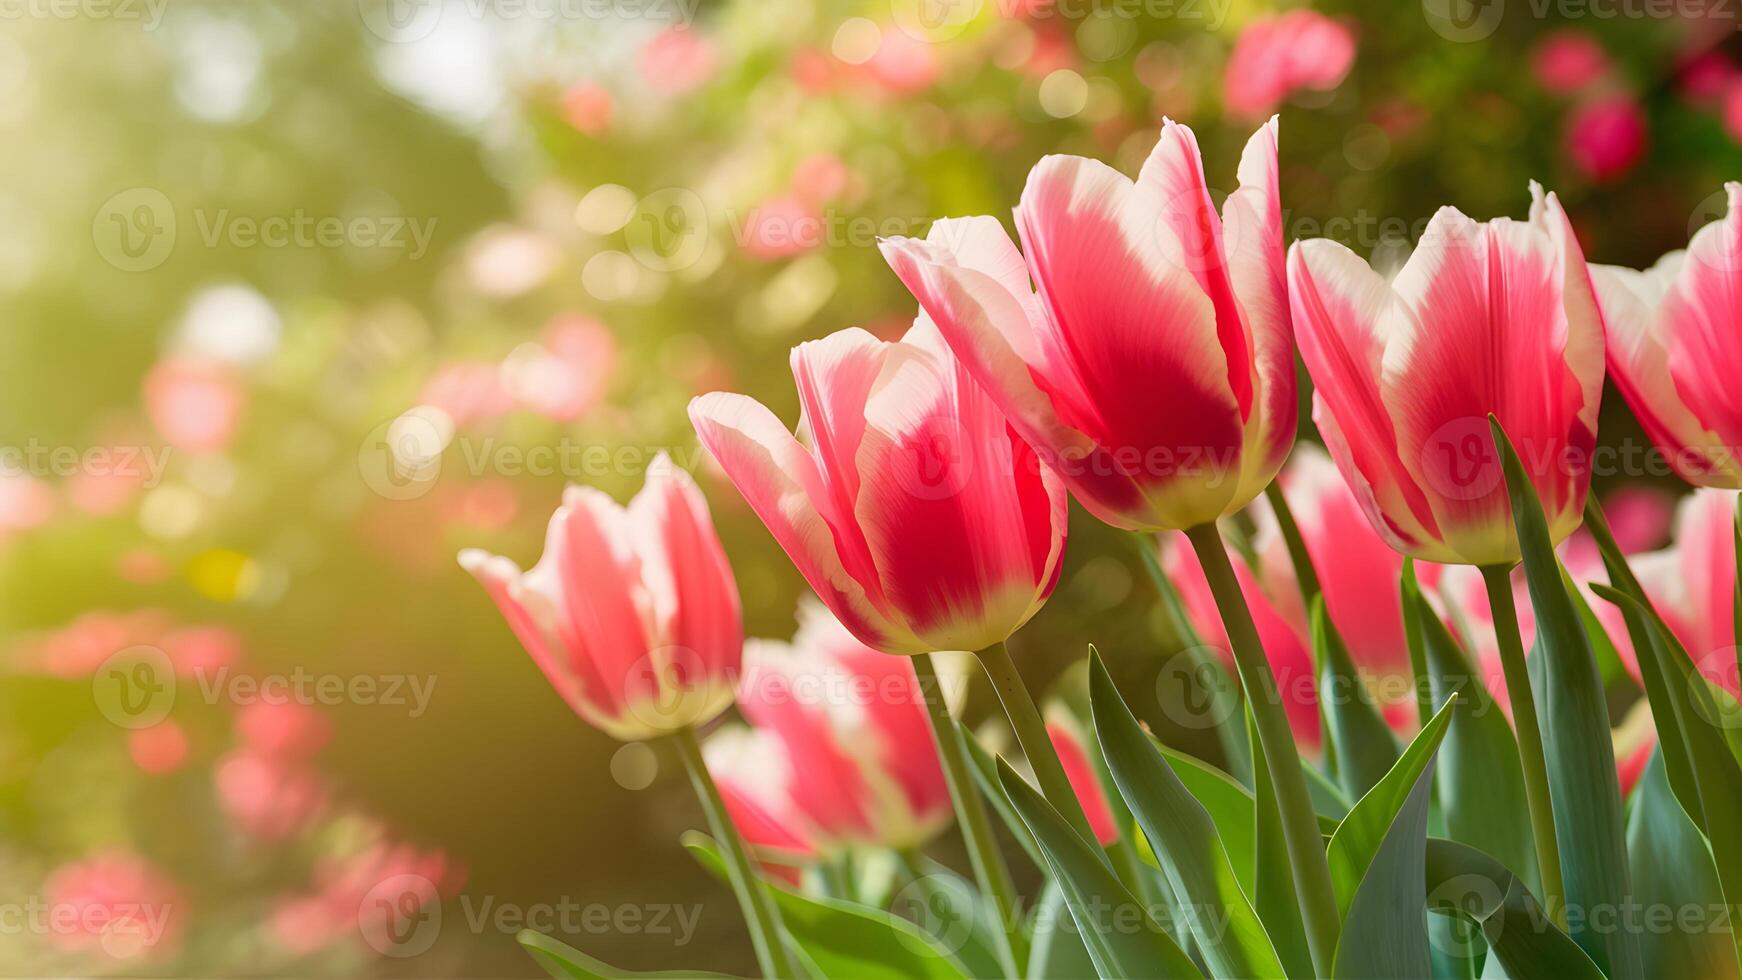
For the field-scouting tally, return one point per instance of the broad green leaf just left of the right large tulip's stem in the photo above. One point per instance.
(1480, 781)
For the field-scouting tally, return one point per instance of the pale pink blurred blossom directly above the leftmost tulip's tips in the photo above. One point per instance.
(564, 375)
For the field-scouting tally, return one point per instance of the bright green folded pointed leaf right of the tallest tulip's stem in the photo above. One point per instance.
(1379, 866)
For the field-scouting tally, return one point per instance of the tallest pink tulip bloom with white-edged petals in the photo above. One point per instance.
(1154, 368)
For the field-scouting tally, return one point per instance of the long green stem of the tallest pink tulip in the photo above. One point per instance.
(1276, 741)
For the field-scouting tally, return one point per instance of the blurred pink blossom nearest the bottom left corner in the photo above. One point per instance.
(114, 904)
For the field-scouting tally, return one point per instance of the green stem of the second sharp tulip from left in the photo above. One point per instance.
(990, 871)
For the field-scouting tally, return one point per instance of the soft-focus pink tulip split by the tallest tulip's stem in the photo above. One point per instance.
(1286, 643)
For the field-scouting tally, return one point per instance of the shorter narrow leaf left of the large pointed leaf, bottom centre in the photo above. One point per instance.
(1123, 937)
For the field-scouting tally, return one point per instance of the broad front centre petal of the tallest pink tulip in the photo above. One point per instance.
(1133, 328)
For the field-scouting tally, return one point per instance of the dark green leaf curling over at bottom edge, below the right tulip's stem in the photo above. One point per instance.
(1478, 889)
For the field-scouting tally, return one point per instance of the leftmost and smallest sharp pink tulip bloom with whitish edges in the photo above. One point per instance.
(631, 614)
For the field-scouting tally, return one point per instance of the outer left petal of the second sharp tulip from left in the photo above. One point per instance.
(781, 483)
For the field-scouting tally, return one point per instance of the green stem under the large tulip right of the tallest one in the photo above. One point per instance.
(1506, 615)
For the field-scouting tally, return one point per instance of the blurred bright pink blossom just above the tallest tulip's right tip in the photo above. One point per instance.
(1279, 57)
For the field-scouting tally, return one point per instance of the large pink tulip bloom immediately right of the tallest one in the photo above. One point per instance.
(1485, 319)
